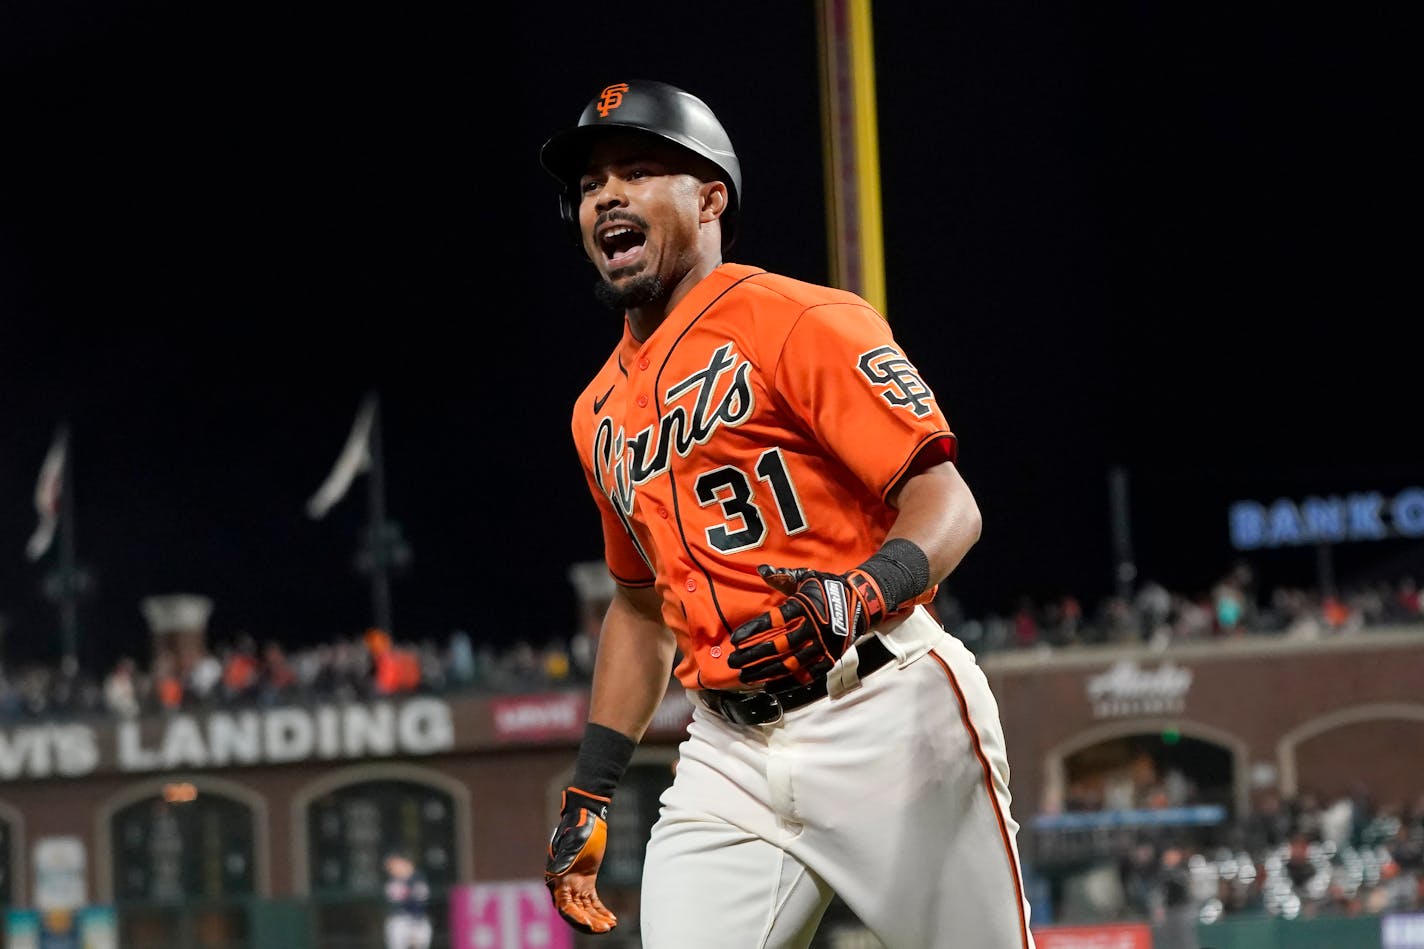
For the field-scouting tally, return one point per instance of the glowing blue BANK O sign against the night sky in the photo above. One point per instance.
(1326, 521)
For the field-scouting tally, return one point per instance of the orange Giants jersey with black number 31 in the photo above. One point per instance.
(741, 432)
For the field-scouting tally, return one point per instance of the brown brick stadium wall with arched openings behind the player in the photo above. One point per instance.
(1319, 715)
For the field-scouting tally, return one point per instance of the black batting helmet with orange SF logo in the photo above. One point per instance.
(647, 106)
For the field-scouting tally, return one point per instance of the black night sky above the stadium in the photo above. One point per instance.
(1164, 237)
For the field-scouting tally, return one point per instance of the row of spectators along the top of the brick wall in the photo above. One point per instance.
(247, 672)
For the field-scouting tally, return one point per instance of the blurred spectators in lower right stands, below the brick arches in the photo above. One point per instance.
(1298, 857)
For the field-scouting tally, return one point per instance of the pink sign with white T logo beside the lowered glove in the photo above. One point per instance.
(506, 916)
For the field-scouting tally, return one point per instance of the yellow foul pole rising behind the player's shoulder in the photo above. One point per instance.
(852, 149)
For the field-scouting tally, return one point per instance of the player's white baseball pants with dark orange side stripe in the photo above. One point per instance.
(891, 793)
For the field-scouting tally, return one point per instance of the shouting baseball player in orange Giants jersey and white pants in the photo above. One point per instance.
(780, 499)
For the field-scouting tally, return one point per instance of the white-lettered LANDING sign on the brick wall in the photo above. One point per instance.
(229, 739)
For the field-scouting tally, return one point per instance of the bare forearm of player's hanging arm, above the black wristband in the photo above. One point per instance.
(633, 668)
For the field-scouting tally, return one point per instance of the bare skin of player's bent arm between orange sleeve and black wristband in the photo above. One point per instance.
(938, 514)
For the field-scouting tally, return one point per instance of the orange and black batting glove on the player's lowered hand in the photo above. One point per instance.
(576, 853)
